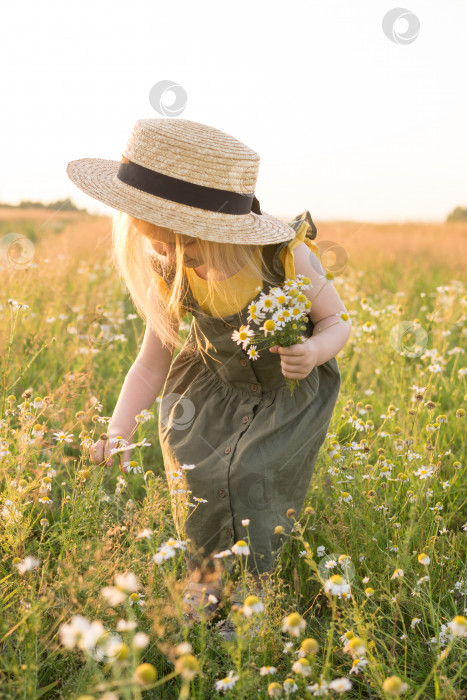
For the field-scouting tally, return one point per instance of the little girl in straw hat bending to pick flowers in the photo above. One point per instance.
(239, 449)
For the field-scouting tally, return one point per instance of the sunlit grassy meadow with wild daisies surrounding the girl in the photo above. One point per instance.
(369, 593)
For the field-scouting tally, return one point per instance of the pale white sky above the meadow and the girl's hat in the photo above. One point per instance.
(348, 123)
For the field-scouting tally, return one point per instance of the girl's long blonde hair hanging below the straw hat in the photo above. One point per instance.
(161, 305)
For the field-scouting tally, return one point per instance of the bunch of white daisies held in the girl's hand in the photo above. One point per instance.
(282, 314)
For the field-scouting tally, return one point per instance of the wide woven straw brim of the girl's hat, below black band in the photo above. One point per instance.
(97, 177)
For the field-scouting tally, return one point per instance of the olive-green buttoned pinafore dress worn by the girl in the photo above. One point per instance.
(253, 445)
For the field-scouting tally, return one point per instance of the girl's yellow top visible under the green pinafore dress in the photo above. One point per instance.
(246, 288)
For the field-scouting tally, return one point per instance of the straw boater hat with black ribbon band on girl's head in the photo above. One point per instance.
(185, 176)
